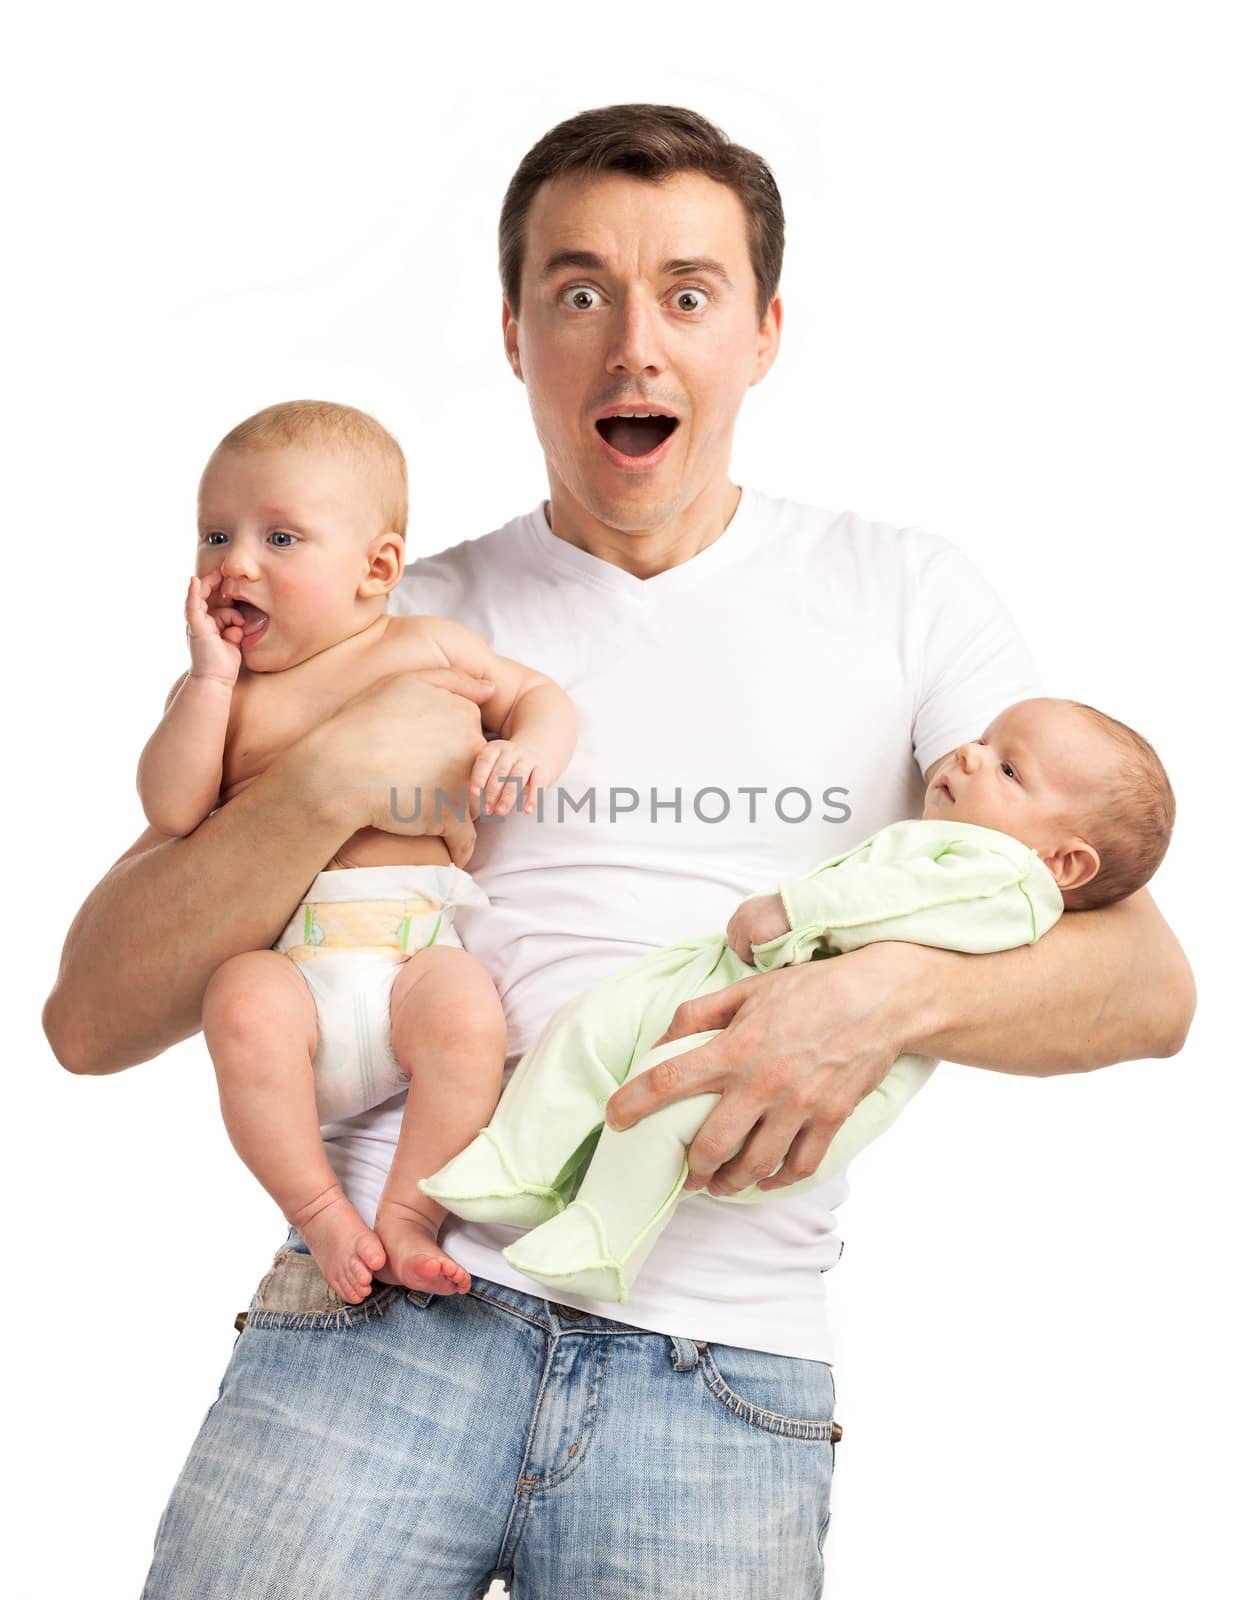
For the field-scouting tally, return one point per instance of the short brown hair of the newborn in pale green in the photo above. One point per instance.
(1133, 826)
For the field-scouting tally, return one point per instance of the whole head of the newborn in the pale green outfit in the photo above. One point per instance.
(1087, 793)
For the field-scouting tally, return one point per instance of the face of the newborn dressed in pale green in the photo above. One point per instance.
(1035, 774)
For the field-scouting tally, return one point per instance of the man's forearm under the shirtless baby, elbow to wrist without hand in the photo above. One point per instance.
(145, 945)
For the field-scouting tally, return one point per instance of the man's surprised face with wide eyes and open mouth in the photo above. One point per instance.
(637, 297)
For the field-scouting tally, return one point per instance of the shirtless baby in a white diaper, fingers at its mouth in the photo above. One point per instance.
(301, 527)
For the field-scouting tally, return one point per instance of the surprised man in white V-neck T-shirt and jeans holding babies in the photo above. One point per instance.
(760, 687)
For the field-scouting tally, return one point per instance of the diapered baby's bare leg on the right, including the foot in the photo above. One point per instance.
(449, 1034)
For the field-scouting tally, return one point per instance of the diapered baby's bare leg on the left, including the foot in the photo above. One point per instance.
(261, 1031)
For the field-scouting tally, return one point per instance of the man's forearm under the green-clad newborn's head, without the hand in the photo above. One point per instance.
(1103, 986)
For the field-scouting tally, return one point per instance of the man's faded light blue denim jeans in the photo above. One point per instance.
(425, 1446)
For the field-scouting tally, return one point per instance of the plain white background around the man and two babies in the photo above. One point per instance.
(1007, 319)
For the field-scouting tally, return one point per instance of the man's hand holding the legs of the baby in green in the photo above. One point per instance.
(800, 1050)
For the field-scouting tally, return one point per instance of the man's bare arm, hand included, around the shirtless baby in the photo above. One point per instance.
(170, 911)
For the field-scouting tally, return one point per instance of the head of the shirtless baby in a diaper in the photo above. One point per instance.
(303, 508)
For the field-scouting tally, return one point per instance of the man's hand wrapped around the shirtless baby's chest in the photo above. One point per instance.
(399, 758)
